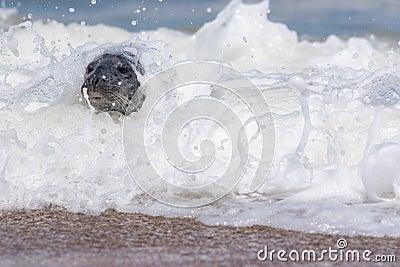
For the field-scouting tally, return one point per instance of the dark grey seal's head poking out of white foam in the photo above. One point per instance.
(111, 84)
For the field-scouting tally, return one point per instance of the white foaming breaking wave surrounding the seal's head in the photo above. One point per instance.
(333, 106)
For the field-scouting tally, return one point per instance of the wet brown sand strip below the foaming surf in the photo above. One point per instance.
(54, 237)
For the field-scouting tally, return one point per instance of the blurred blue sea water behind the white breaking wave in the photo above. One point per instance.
(318, 18)
